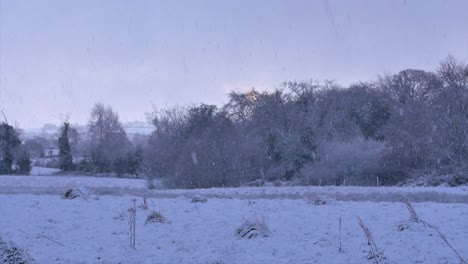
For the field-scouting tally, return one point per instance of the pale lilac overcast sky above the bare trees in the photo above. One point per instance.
(60, 57)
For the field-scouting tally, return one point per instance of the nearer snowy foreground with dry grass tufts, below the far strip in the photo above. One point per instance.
(54, 230)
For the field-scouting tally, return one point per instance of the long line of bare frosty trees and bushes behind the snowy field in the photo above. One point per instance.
(399, 126)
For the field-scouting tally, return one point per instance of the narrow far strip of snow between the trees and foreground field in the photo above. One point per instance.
(56, 185)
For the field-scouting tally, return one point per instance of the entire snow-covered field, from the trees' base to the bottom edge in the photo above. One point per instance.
(51, 229)
